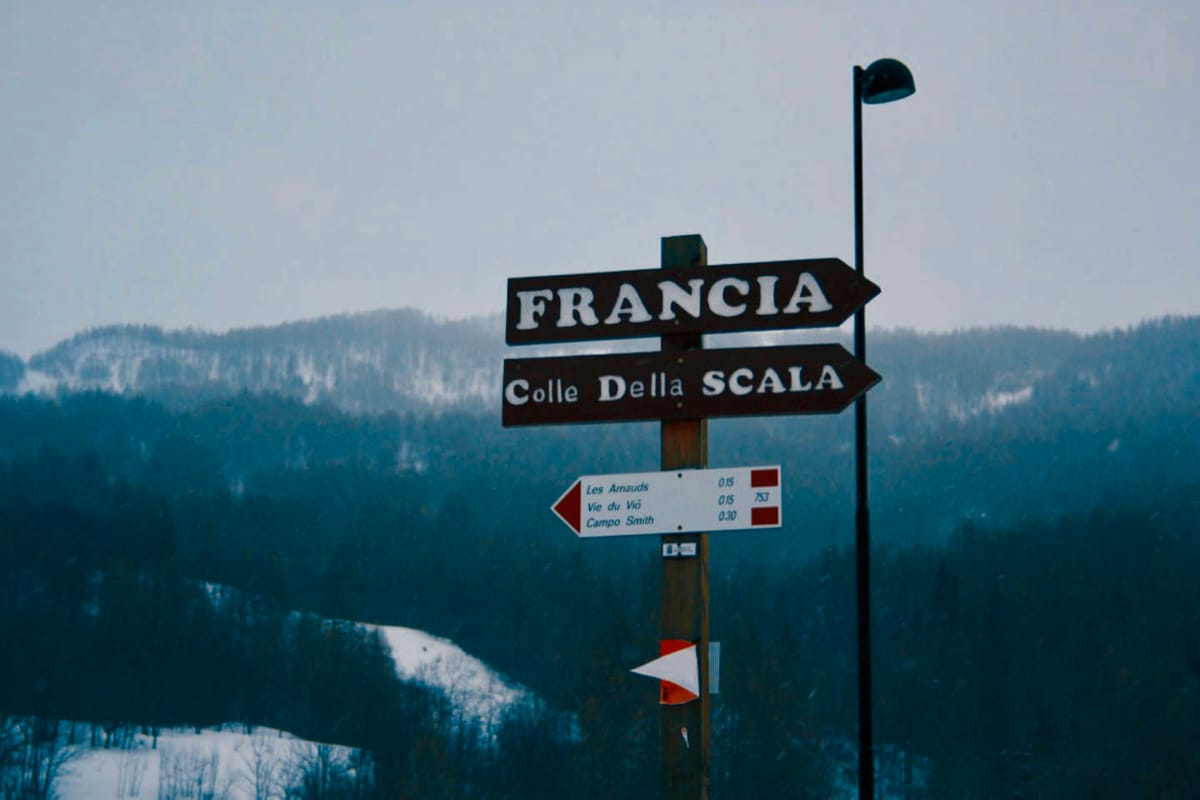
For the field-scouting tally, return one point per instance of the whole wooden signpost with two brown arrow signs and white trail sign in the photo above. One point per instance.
(683, 386)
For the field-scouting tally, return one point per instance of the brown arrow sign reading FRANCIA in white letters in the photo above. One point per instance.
(769, 296)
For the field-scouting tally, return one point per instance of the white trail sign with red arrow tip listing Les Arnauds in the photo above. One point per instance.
(674, 502)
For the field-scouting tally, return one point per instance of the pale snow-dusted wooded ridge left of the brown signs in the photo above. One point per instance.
(388, 360)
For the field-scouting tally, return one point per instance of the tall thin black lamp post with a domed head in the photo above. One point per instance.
(883, 82)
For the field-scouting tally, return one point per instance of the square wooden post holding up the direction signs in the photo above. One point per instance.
(685, 736)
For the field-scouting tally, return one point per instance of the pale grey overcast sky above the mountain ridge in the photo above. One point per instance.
(217, 165)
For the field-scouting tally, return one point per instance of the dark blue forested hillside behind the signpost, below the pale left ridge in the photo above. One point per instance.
(1036, 612)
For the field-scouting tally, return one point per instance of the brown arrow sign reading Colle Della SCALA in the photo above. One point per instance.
(683, 386)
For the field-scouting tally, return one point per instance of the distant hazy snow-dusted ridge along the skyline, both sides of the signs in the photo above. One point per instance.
(405, 360)
